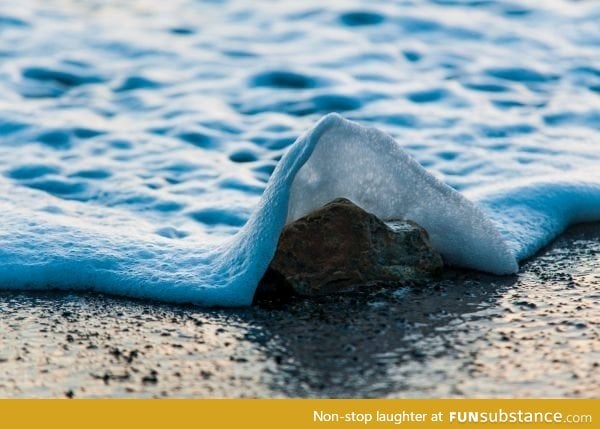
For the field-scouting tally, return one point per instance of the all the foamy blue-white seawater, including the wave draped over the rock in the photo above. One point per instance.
(156, 149)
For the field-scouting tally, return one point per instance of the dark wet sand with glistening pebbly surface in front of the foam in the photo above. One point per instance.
(468, 335)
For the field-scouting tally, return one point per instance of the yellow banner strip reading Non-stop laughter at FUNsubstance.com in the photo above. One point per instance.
(299, 413)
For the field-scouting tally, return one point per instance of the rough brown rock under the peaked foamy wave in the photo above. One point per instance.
(341, 247)
